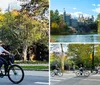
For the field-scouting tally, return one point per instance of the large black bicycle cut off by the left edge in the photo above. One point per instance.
(14, 72)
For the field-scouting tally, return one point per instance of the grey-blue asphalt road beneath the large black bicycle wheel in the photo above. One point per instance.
(31, 78)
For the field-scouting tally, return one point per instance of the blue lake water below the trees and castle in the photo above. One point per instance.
(76, 38)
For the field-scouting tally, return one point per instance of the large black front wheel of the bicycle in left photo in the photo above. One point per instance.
(15, 74)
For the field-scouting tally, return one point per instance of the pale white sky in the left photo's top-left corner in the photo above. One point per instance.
(13, 4)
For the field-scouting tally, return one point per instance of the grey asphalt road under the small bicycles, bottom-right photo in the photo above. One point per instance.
(71, 79)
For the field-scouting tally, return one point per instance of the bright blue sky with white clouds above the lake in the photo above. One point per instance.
(76, 7)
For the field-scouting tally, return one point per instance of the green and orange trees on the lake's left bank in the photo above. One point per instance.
(57, 19)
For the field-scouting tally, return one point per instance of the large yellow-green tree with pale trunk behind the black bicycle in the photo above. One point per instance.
(24, 29)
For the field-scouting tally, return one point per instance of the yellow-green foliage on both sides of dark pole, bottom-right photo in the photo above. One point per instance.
(82, 54)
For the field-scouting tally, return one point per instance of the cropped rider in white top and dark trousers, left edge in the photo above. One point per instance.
(2, 53)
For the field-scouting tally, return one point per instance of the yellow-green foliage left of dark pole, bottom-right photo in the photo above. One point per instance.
(81, 53)
